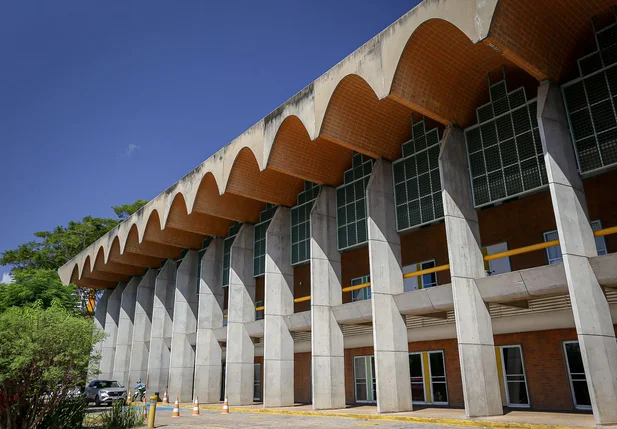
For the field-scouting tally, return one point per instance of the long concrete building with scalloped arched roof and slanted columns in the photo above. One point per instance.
(432, 221)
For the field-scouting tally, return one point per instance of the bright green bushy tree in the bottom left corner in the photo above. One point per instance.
(44, 354)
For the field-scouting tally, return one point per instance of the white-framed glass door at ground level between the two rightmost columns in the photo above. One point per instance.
(513, 370)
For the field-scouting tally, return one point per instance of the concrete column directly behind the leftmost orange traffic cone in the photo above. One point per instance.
(183, 340)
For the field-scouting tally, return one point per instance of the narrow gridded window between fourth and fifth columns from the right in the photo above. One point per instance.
(301, 224)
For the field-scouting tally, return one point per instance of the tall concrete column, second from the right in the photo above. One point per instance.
(474, 329)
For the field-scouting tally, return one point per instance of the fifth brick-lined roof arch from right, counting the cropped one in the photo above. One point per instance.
(268, 186)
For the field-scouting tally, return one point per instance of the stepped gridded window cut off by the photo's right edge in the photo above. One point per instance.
(591, 103)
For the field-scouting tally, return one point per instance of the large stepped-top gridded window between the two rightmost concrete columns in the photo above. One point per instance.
(504, 149)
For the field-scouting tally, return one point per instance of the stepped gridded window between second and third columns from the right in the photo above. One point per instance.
(417, 185)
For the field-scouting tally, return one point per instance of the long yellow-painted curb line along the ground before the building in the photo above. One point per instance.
(390, 417)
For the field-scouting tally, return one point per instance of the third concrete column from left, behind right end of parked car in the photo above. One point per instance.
(124, 339)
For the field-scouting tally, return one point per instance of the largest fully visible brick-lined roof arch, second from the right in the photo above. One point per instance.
(443, 75)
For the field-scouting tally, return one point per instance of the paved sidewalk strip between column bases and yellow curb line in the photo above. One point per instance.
(432, 415)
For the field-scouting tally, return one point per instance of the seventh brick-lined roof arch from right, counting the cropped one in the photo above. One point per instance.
(198, 223)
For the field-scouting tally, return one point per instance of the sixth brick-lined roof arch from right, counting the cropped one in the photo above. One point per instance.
(227, 206)
